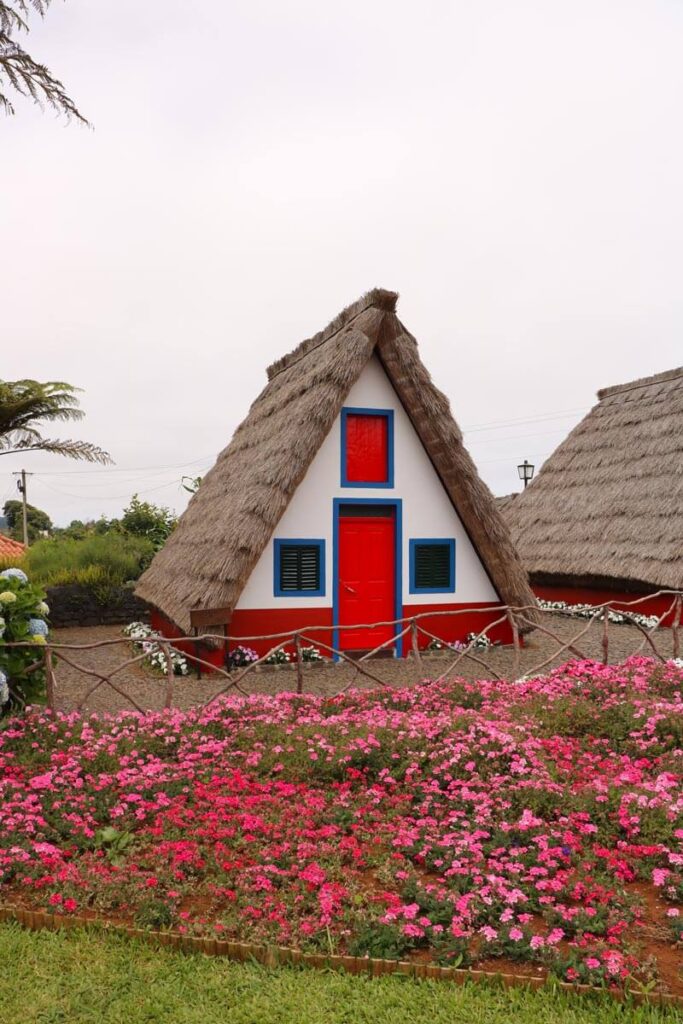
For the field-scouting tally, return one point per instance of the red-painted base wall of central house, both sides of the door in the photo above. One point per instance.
(262, 622)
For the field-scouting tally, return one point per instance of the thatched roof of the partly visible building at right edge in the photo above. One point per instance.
(608, 506)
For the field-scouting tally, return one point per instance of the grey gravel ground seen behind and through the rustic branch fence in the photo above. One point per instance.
(148, 689)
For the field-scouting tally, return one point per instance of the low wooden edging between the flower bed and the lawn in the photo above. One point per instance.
(273, 957)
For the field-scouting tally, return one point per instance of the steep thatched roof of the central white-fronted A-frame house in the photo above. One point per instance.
(209, 558)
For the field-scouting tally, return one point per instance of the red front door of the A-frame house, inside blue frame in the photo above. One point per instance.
(367, 578)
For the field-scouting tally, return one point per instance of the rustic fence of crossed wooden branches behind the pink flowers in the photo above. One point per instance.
(519, 619)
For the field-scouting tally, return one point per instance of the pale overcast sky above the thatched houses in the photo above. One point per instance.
(514, 169)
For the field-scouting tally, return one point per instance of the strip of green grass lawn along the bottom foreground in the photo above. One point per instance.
(78, 977)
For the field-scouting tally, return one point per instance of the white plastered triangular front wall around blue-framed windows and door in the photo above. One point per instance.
(428, 511)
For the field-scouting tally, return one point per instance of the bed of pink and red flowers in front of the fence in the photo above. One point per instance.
(538, 822)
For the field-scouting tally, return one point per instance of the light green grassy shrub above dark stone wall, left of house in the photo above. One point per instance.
(97, 561)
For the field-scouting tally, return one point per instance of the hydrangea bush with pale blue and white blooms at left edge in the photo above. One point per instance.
(23, 620)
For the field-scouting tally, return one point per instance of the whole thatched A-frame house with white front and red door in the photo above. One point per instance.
(347, 496)
